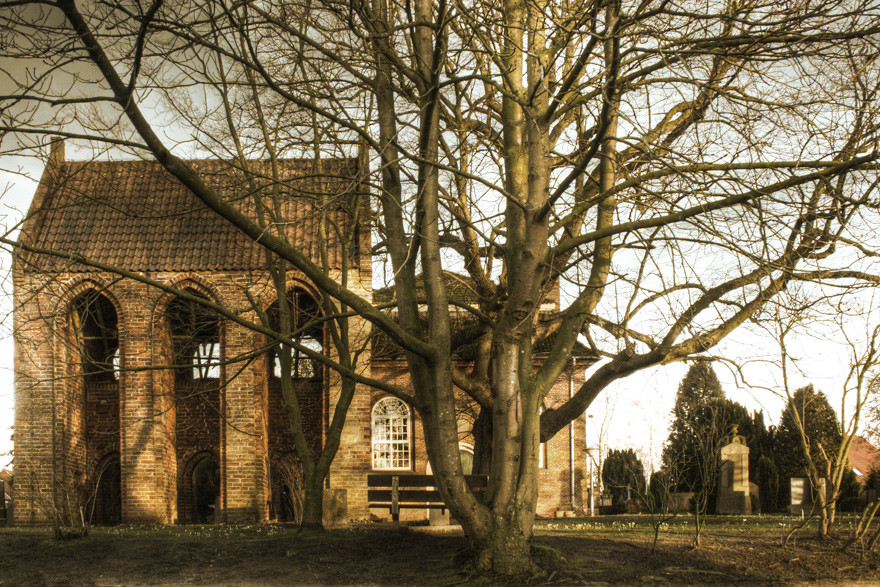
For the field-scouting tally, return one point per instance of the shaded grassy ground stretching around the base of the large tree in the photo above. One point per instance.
(596, 551)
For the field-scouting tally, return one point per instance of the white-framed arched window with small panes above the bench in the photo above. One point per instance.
(391, 424)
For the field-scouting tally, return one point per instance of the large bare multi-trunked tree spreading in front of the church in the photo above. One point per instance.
(670, 166)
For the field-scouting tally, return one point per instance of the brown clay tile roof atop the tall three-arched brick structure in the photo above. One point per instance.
(135, 215)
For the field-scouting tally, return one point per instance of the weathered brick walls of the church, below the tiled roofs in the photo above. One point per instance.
(158, 433)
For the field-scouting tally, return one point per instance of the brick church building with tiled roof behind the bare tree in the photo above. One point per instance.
(149, 408)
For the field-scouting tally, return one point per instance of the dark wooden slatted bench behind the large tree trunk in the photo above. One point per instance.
(409, 490)
